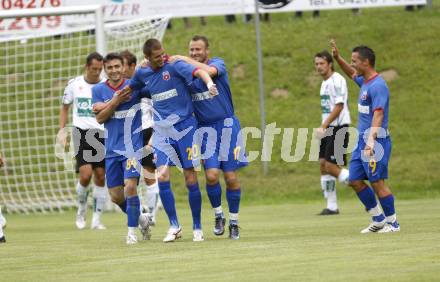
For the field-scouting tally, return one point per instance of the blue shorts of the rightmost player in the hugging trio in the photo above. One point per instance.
(222, 145)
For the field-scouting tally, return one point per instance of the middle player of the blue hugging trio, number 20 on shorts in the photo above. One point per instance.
(174, 127)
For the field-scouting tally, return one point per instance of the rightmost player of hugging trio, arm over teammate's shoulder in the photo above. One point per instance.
(223, 148)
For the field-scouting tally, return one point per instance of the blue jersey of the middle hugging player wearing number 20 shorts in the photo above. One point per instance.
(168, 88)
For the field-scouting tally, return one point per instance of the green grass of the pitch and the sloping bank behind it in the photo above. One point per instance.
(282, 238)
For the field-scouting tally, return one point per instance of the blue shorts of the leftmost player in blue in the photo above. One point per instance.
(119, 168)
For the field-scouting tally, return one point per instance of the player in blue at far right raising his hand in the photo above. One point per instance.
(369, 160)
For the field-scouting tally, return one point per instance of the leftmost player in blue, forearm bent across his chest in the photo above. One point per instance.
(121, 116)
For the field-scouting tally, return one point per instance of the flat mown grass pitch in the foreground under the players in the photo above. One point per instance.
(279, 243)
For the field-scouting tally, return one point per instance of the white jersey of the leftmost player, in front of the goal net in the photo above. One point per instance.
(79, 93)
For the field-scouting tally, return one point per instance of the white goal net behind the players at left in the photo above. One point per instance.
(38, 175)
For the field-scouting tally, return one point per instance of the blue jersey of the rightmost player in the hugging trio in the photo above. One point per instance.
(210, 109)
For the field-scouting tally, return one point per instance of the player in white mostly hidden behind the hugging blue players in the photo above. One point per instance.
(152, 191)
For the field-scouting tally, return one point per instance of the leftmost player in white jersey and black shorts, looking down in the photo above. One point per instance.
(88, 139)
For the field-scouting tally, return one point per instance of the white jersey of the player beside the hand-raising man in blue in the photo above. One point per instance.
(334, 91)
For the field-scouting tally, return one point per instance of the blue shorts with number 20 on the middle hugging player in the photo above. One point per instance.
(176, 146)
